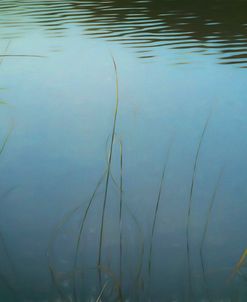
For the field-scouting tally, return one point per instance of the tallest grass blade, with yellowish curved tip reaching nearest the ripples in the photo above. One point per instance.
(108, 171)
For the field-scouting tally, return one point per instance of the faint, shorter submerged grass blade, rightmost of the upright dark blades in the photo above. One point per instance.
(204, 235)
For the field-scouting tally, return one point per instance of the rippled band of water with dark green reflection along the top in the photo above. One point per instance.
(210, 28)
